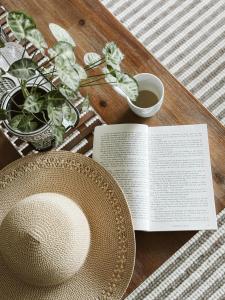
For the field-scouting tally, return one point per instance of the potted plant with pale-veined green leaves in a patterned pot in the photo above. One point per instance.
(38, 111)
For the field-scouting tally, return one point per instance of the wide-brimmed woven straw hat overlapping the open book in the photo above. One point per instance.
(65, 230)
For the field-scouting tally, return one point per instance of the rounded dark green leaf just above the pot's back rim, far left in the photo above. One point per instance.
(23, 68)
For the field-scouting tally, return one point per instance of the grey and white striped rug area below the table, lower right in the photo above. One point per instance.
(195, 272)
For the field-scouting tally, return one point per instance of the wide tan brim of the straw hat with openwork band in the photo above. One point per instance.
(110, 262)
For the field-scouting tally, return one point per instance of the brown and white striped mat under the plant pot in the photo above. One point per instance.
(79, 139)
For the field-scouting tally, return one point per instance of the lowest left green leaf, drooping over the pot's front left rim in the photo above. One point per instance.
(24, 123)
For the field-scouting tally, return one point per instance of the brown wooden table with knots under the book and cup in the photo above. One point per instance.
(92, 26)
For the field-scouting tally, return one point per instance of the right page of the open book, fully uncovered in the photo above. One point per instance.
(181, 190)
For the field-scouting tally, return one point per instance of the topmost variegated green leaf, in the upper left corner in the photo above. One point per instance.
(20, 23)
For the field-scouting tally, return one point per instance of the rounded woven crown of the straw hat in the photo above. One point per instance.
(45, 239)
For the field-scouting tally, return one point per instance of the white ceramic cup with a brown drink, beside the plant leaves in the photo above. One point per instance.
(151, 83)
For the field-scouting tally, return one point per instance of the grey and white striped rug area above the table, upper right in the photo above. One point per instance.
(187, 37)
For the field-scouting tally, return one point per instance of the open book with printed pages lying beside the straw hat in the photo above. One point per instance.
(164, 172)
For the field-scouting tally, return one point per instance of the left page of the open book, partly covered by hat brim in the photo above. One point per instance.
(123, 151)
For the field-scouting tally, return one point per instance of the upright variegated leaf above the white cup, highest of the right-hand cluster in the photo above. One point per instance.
(113, 55)
